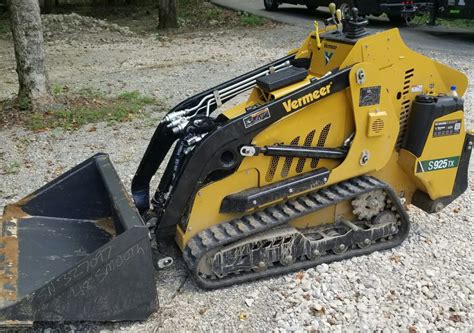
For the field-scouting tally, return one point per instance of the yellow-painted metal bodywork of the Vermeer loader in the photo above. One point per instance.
(386, 62)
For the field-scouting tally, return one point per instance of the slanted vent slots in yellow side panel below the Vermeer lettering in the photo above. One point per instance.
(288, 161)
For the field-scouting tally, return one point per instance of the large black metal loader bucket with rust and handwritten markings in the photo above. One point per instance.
(76, 250)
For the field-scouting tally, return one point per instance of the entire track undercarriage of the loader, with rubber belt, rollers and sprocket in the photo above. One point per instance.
(263, 243)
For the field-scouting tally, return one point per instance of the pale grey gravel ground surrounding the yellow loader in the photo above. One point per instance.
(425, 284)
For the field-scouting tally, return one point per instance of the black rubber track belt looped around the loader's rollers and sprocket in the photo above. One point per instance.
(260, 221)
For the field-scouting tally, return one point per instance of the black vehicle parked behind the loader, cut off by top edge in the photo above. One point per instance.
(397, 11)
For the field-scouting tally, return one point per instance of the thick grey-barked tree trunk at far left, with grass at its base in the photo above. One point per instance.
(28, 42)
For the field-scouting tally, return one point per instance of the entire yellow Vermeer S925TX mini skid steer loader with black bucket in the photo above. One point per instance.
(317, 165)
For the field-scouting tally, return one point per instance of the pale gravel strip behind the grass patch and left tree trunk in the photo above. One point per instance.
(162, 65)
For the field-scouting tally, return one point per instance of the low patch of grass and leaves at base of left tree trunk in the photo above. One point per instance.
(123, 108)
